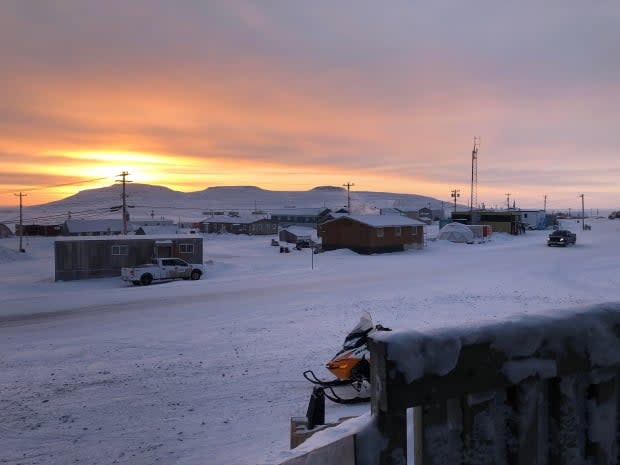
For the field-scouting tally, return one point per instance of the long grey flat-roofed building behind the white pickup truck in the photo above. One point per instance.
(92, 257)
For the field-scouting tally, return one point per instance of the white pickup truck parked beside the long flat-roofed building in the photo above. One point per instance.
(161, 269)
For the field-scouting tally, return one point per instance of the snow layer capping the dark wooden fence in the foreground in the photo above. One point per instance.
(589, 331)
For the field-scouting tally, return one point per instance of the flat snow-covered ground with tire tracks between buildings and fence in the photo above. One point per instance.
(210, 372)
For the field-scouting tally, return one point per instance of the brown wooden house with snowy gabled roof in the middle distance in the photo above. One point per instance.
(372, 233)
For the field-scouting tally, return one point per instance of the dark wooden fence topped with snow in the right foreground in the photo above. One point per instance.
(540, 389)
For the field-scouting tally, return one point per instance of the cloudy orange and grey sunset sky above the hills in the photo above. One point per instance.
(290, 95)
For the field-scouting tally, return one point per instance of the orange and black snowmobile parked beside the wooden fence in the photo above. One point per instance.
(350, 366)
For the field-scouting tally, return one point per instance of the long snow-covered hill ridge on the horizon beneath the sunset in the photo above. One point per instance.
(146, 201)
